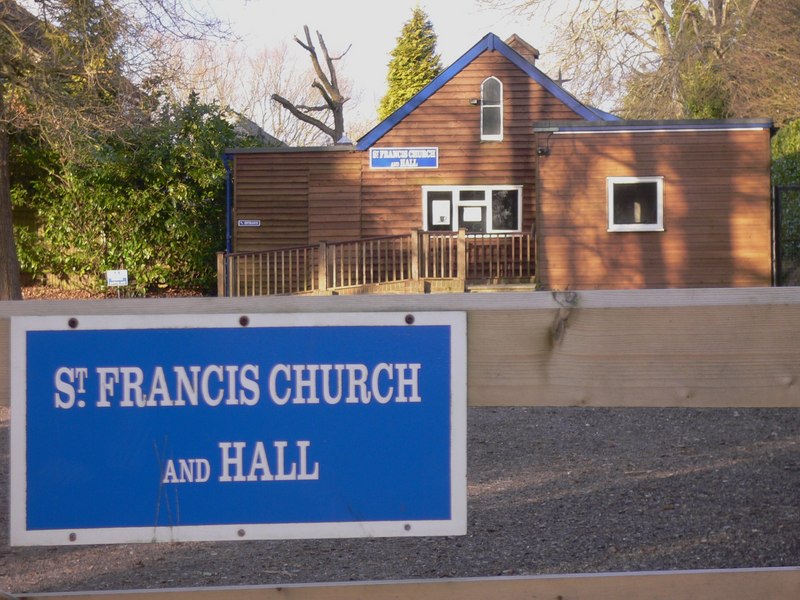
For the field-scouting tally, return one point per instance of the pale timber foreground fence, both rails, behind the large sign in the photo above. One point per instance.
(652, 348)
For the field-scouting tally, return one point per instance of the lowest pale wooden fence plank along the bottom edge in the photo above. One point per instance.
(738, 584)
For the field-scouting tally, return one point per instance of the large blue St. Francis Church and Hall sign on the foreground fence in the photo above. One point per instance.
(214, 427)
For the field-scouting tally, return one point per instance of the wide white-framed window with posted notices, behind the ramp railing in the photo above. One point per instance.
(478, 209)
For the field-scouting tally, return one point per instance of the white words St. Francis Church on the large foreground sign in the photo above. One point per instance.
(236, 385)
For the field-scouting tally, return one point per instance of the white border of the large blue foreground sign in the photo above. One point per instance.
(455, 525)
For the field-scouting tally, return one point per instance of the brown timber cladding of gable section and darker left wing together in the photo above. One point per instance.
(304, 197)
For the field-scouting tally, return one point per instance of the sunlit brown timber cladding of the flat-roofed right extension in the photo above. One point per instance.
(717, 210)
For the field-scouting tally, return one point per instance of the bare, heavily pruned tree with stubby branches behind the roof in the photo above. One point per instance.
(328, 117)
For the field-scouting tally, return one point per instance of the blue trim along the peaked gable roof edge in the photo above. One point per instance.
(489, 42)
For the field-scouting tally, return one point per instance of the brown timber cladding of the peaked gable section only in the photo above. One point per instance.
(392, 200)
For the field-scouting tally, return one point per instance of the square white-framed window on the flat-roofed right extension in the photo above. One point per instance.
(635, 203)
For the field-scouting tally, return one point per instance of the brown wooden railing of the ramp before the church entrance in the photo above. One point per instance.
(417, 262)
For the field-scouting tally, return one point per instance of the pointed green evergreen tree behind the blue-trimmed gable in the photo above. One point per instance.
(414, 62)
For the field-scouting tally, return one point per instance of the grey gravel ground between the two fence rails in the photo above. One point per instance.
(550, 491)
